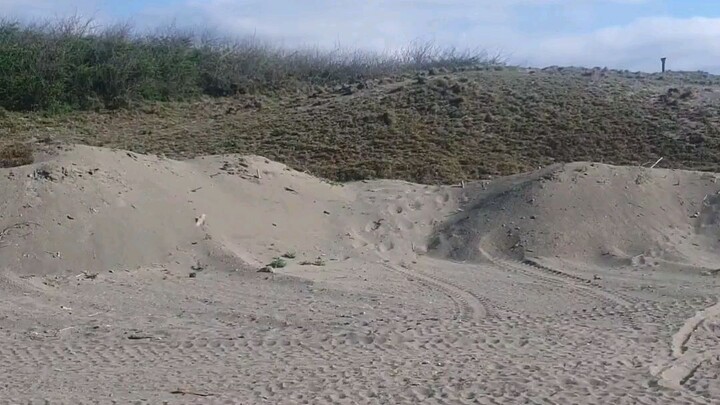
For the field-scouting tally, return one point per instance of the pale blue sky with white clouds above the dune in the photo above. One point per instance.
(627, 34)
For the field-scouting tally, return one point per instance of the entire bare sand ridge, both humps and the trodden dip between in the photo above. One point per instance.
(92, 209)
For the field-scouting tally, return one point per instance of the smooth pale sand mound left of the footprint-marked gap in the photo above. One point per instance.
(92, 209)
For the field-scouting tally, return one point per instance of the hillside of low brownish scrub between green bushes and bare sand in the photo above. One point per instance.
(433, 126)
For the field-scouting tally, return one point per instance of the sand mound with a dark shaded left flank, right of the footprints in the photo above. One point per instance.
(590, 213)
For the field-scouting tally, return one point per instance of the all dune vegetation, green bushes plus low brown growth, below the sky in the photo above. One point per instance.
(423, 115)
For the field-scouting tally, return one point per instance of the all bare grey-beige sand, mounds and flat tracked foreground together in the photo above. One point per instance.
(134, 279)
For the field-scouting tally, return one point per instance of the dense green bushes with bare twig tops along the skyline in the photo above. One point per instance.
(73, 64)
